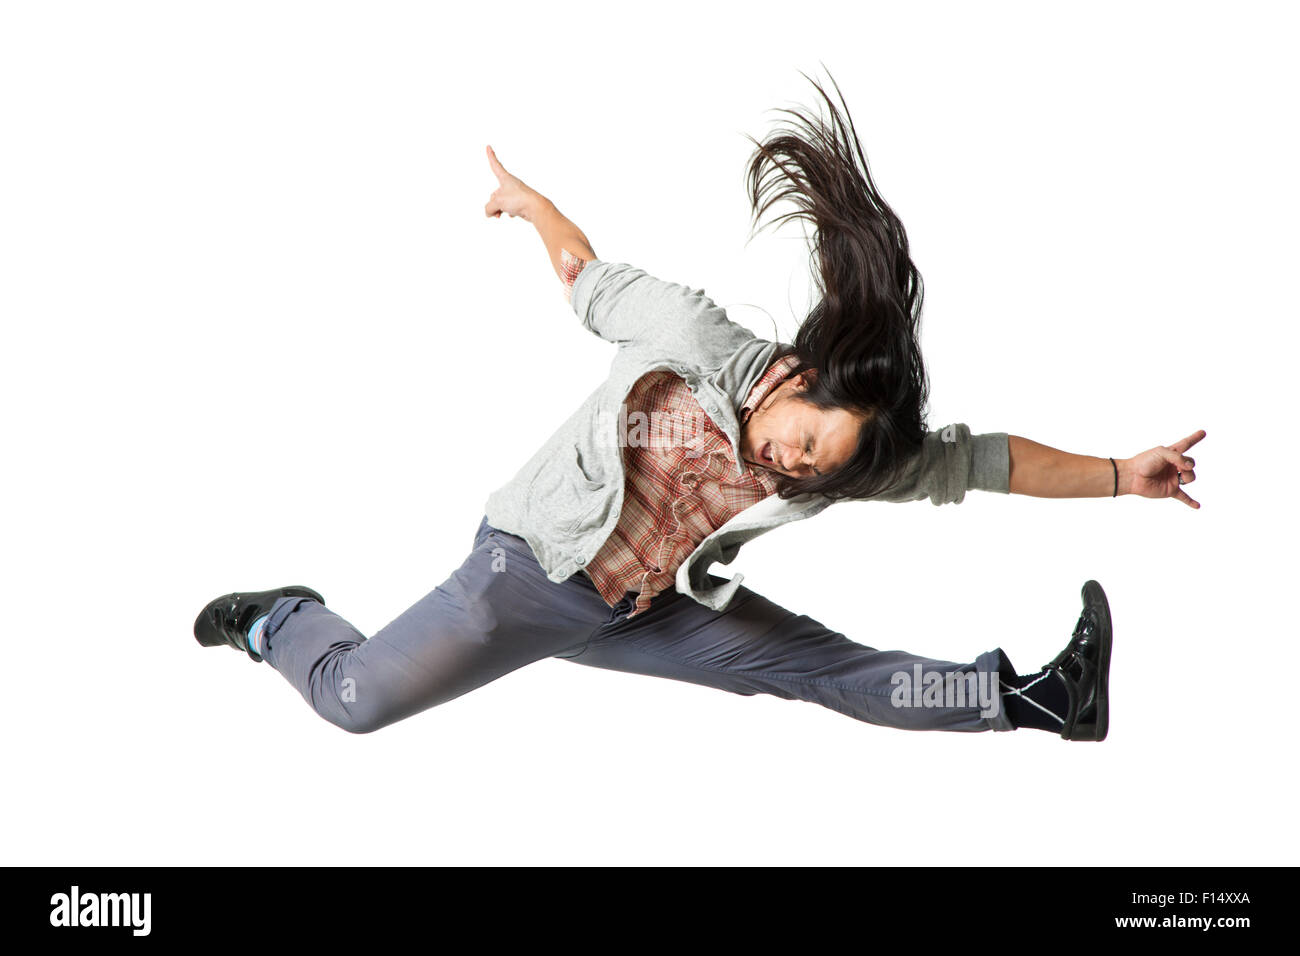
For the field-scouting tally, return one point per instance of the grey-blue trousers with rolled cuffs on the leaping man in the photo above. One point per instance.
(500, 612)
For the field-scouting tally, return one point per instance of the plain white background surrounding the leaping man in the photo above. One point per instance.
(259, 331)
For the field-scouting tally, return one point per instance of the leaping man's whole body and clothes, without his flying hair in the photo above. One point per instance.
(599, 550)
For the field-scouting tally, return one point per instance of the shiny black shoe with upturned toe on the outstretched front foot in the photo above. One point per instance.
(1085, 669)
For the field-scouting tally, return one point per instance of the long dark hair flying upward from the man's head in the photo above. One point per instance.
(863, 335)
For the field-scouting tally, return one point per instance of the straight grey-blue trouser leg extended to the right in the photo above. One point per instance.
(759, 647)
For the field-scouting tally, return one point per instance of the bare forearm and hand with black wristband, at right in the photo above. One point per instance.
(1047, 473)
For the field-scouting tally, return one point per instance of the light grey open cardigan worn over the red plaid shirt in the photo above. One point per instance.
(566, 500)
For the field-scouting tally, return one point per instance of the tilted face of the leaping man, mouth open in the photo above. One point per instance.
(790, 438)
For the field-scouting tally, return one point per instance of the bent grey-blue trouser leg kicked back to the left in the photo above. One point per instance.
(497, 613)
